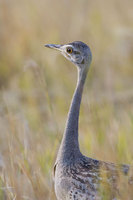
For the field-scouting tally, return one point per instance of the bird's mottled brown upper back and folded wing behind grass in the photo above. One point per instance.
(91, 170)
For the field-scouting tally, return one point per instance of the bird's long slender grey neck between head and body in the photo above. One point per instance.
(70, 146)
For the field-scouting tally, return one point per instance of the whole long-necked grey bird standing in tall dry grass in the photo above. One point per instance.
(76, 176)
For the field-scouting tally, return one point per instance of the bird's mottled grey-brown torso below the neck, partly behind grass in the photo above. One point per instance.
(89, 179)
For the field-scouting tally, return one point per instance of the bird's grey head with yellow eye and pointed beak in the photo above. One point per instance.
(77, 52)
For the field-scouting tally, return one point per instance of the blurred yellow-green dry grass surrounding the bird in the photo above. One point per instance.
(36, 86)
